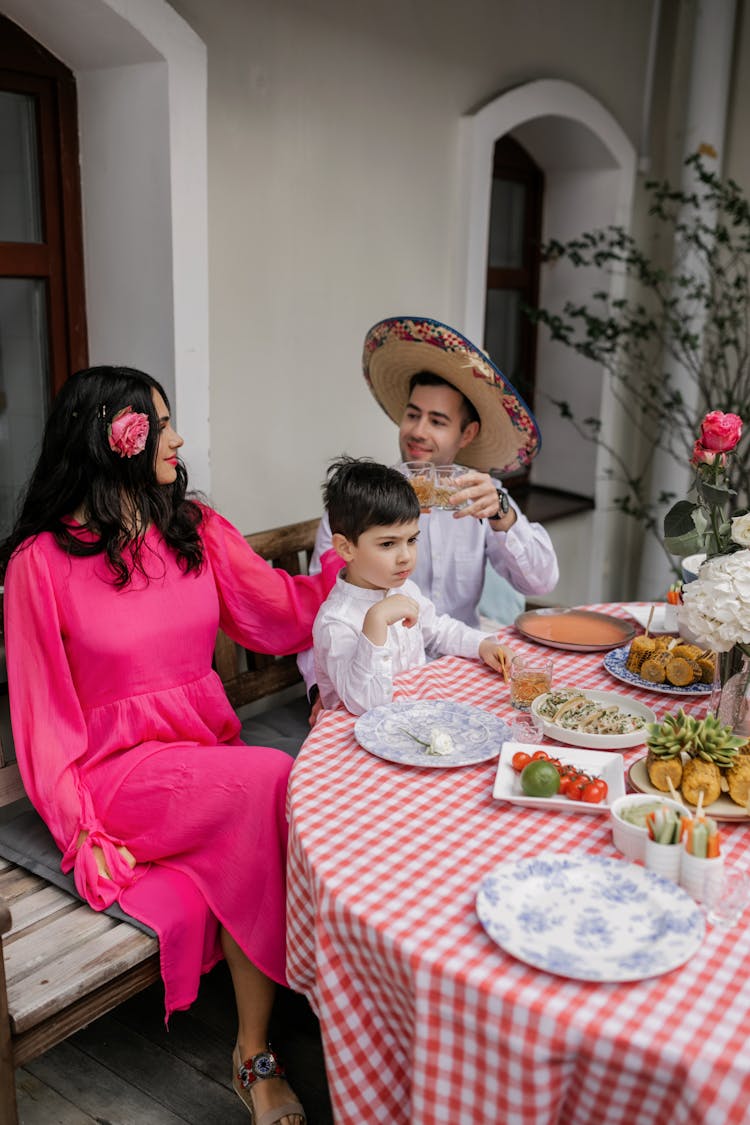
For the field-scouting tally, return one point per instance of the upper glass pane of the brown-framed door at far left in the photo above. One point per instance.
(21, 218)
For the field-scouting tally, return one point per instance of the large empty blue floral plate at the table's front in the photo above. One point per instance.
(590, 919)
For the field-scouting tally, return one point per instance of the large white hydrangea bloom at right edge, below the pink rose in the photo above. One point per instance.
(717, 606)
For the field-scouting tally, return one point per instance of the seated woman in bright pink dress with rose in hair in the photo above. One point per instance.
(116, 584)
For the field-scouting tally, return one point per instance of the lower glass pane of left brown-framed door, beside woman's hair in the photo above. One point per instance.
(23, 386)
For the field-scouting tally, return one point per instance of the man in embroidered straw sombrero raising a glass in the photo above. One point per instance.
(453, 404)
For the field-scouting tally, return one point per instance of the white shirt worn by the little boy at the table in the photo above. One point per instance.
(351, 669)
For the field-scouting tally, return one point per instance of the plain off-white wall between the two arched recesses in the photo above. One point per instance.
(333, 199)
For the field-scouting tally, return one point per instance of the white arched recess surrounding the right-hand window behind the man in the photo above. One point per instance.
(590, 167)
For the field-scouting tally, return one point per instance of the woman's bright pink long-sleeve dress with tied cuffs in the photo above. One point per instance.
(124, 731)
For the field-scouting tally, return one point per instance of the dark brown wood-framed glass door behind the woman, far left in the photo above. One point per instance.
(43, 337)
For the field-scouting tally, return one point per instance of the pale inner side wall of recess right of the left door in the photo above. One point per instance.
(124, 173)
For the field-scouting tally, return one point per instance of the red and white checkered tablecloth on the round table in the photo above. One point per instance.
(424, 1020)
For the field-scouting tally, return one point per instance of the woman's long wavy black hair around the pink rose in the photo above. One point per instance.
(78, 471)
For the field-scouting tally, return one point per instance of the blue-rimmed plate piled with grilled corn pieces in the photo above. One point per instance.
(664, 664)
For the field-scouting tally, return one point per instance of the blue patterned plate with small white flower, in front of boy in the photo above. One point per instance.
(477, 735)
